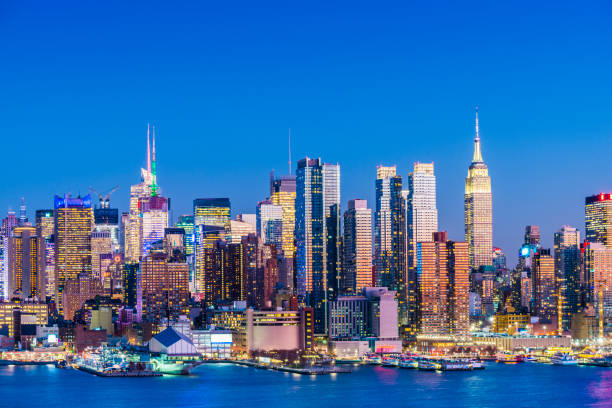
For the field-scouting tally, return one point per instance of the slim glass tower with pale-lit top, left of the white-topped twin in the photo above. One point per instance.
(390, 236)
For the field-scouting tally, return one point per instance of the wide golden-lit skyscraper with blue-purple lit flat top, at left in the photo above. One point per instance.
(73, 226)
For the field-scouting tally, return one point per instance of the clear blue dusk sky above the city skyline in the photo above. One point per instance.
(358, 83)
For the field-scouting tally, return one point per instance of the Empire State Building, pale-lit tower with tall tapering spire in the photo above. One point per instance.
(478, 209)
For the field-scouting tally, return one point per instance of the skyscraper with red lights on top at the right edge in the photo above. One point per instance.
(598, 219)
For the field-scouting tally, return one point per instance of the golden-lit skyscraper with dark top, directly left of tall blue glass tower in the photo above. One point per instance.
(282, 192)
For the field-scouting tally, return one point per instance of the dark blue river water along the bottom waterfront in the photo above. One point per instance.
(225, 385)
